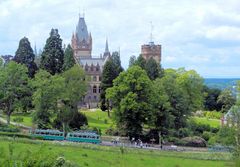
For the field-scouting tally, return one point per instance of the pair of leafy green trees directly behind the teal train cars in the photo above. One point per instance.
(57, 97)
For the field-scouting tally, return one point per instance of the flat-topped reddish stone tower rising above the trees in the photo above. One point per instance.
(152, 50)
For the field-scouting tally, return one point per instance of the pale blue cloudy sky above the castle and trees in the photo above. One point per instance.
(202, 35)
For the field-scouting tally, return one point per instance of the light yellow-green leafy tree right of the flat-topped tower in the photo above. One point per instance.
(184, 90)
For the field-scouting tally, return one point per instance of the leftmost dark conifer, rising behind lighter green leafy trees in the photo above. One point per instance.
(25, 55)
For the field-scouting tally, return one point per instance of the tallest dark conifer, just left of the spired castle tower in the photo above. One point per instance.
(52, 56)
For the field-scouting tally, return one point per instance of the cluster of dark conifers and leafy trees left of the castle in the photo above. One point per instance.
(52, 90)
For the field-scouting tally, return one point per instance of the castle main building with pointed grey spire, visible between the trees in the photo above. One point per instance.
(93, 66)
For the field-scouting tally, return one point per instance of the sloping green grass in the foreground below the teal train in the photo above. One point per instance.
(101, 156)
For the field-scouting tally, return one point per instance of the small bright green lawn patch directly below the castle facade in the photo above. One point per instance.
(98, 119)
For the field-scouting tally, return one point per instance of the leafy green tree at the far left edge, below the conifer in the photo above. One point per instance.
(13, 87)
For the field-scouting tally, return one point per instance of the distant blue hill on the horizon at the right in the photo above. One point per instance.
(221, 83)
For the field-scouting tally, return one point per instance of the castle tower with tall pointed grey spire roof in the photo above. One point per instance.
(82, 40)
